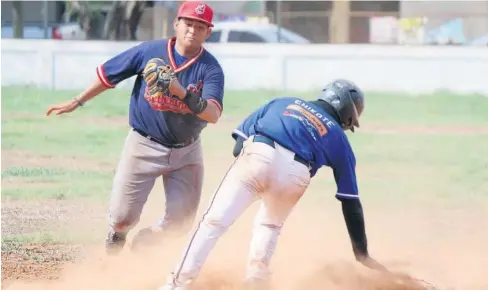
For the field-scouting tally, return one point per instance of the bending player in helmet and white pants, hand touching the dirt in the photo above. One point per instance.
(279, 148)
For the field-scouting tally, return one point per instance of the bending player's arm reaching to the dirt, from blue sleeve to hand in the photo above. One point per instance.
(344, 168)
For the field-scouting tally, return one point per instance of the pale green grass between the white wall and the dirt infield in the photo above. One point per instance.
(85, 135)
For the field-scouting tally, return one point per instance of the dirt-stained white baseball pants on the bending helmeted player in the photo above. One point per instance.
(259, 172)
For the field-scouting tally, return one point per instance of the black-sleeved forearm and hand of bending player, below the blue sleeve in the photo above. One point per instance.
(354, 217)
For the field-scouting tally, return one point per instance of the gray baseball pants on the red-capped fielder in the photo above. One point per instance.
(141, 163)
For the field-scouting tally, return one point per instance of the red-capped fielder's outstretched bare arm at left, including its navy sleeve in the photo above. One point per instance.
(109, 74)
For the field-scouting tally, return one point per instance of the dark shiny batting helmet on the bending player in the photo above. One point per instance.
(346, 99)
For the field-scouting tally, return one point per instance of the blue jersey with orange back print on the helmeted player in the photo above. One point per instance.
(309, 132)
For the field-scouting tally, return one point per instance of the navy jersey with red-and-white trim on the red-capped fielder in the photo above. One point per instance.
(161, 116)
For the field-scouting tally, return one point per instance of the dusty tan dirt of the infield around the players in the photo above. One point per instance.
(444, 246)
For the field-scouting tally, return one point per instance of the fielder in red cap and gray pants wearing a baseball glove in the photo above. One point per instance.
(167, 113)
